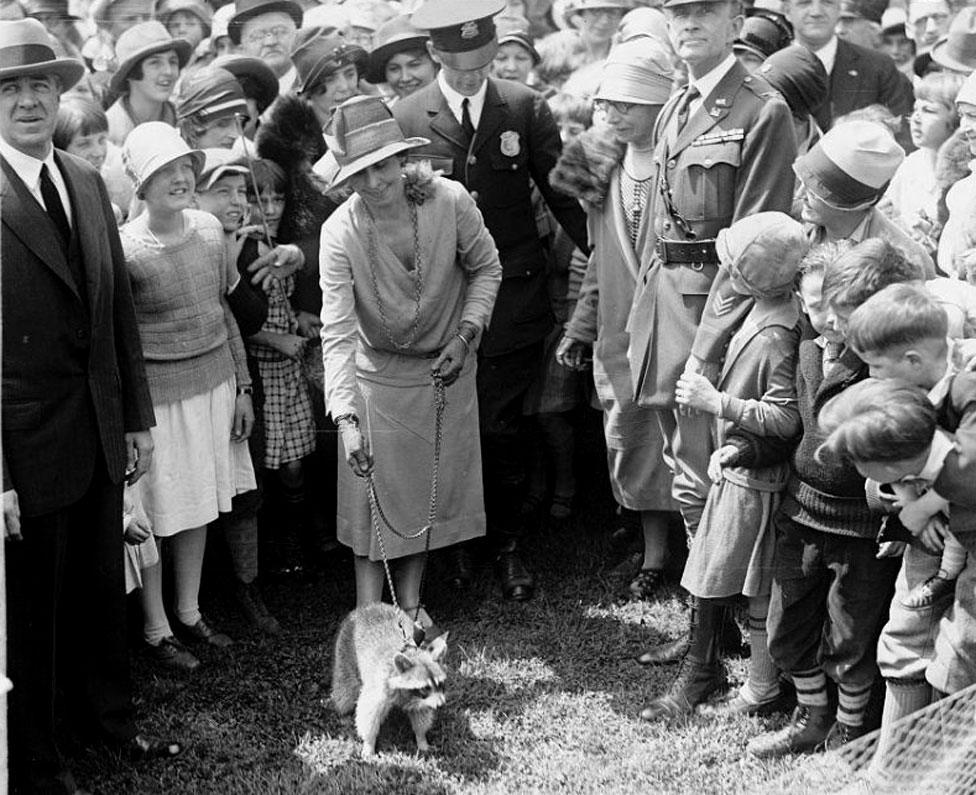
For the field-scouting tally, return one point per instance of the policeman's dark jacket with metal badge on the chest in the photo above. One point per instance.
(517, 139)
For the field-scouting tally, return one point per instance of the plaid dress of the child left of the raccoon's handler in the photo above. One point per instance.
(288, 421)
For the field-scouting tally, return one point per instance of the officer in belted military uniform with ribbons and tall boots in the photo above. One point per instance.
(724, 150)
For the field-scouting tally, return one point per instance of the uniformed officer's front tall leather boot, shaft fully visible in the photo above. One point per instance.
(701, 673)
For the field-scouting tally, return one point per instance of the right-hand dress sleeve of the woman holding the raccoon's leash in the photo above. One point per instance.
(479, 258)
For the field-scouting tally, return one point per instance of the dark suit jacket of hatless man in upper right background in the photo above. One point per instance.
(863, 77)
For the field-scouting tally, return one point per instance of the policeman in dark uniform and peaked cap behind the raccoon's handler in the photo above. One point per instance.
(494, 136)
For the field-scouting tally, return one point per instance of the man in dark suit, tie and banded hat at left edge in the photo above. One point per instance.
(76, 416)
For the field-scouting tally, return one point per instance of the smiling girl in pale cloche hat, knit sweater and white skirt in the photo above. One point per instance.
(197, 373)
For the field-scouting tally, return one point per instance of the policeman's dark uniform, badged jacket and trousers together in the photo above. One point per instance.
(516, 141)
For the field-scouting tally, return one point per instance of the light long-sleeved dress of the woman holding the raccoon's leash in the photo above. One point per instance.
(389, 388)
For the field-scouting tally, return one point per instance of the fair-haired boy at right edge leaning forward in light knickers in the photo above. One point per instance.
(901, 333)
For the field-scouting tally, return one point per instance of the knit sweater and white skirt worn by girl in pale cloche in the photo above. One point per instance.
(194, 360)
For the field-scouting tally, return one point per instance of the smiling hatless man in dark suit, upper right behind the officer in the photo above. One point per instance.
(858, 76)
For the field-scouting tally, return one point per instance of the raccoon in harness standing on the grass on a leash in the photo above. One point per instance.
(374, 670)
